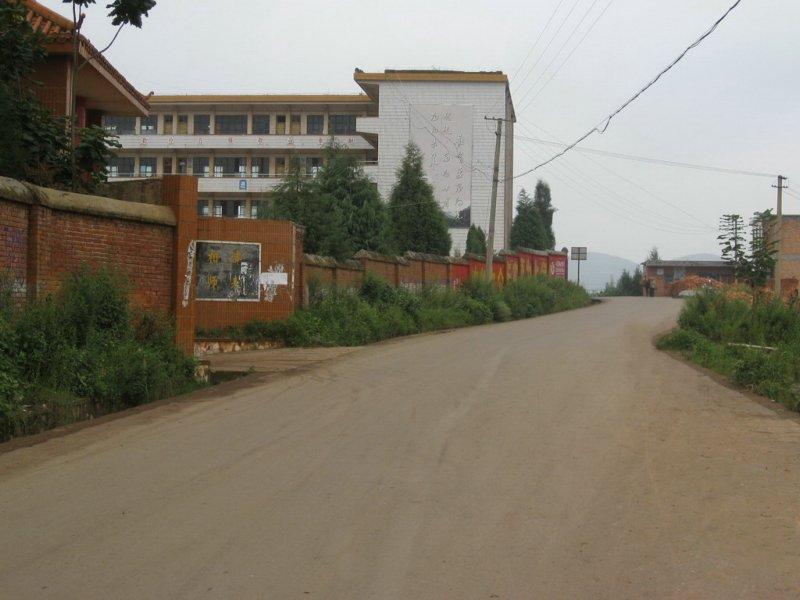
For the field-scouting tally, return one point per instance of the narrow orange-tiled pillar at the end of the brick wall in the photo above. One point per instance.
(180, 193)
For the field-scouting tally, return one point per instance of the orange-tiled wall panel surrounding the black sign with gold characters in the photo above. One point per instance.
(280, 245)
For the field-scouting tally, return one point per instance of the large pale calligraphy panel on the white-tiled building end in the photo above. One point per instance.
(443, 133)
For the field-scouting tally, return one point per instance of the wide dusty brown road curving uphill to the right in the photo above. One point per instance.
(560, 457)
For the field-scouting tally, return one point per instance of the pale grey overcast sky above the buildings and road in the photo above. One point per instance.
(732, 102)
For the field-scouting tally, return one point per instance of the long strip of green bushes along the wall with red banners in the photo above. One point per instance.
(378, 310)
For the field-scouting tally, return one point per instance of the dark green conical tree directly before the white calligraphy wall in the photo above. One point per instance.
(417, 222)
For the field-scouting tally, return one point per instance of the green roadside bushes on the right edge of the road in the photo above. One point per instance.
(714, 324)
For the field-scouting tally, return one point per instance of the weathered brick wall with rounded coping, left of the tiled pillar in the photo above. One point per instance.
(46, 234)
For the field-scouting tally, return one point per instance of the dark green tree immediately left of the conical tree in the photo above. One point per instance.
(364, 214)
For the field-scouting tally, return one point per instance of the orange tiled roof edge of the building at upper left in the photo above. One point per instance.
(58, 31)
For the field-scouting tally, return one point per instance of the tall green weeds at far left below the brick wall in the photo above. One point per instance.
(84, 352)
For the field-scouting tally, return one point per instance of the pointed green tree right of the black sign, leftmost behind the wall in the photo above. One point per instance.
(299, 199)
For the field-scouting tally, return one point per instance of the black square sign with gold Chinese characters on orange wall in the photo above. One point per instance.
(228, 270)
